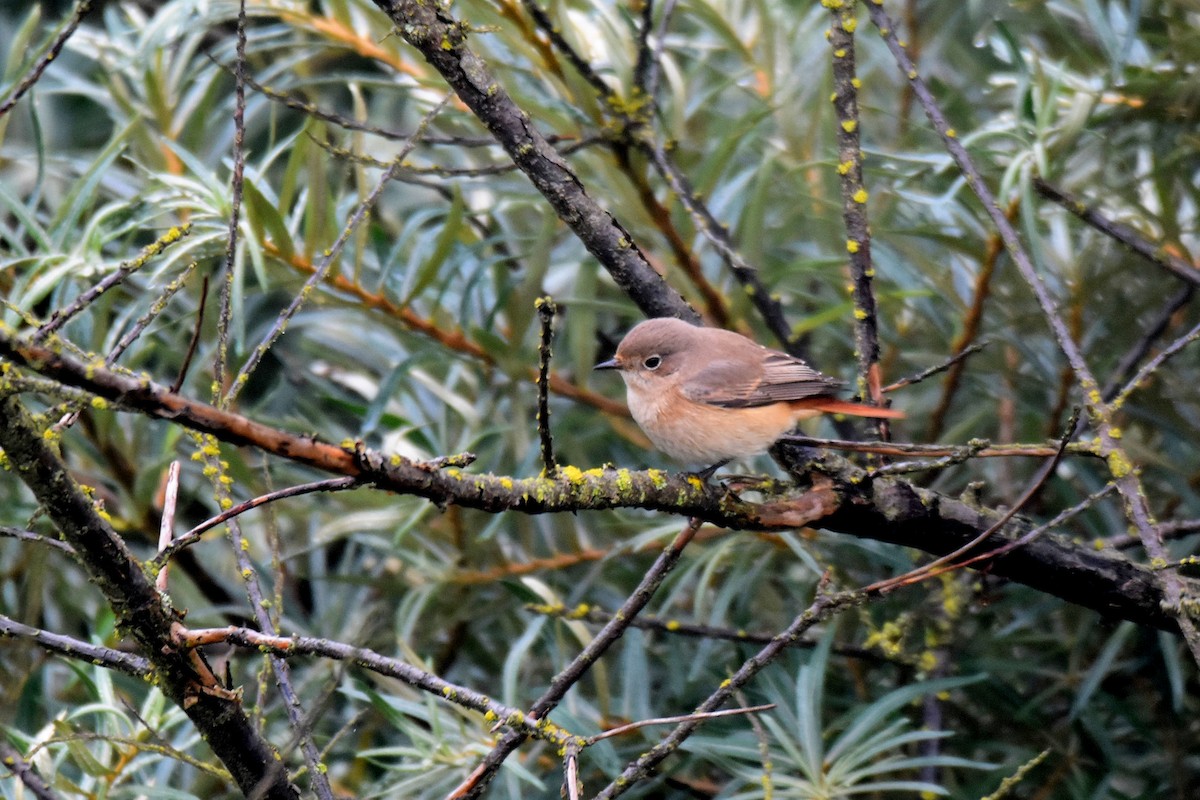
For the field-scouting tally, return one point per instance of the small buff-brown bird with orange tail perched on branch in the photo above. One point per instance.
(707, 396)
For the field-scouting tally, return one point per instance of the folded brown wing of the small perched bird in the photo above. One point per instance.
(743, 384)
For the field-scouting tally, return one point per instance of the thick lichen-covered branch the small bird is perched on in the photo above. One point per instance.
(844, 498)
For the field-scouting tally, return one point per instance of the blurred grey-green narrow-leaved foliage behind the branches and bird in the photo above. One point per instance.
(424, 339)
